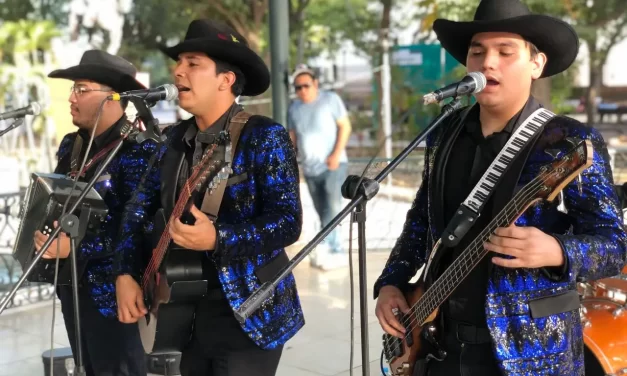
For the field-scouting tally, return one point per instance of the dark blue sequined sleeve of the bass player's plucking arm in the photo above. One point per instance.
(409, 252)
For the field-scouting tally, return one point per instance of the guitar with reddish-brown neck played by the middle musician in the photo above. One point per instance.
(173, 280)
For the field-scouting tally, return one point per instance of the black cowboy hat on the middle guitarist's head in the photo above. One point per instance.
(221, 42)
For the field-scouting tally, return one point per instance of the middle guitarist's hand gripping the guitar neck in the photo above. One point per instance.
(201, 236)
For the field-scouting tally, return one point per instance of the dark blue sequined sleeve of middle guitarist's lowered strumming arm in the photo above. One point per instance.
(139, 209)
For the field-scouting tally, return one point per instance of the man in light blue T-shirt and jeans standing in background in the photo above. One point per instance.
(319, 128)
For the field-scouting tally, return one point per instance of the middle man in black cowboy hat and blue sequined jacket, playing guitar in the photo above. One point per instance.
(258, 215)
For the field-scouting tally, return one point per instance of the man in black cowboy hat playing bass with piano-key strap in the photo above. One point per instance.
(517, 312)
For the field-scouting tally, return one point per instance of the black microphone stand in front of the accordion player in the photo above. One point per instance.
(69, 223)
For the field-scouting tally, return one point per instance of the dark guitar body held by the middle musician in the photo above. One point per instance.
(171, 298)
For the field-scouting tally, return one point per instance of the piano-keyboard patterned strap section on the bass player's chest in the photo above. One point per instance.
(480, 194)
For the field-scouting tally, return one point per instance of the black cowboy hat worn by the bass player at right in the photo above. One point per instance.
(554, 37)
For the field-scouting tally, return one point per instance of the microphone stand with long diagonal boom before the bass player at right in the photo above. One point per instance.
(359, 190)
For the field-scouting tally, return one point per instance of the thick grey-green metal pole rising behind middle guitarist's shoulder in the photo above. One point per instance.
(279, 52)
